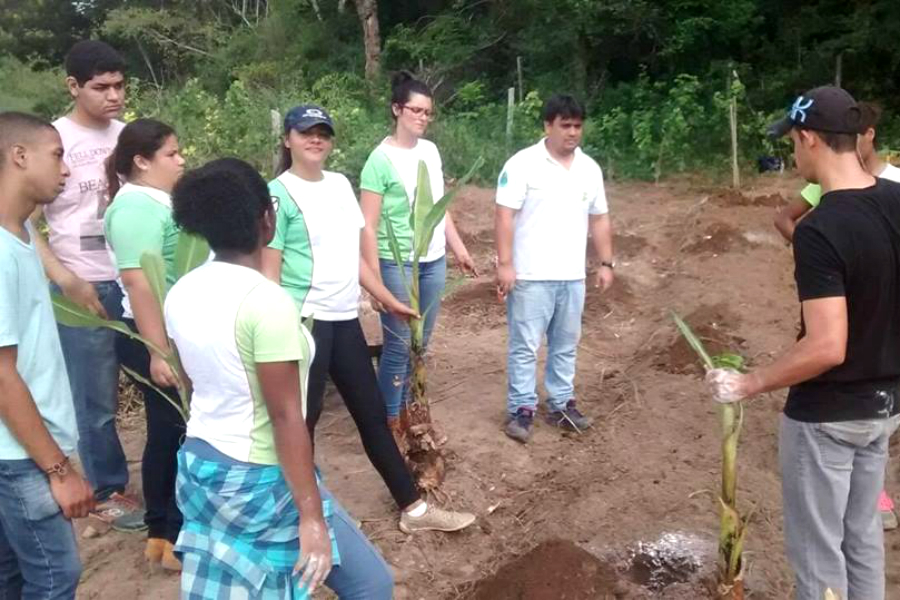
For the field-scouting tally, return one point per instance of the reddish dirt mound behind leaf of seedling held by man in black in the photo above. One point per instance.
(709, 323)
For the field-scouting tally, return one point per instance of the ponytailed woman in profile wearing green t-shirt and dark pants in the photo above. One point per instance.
(139, 220)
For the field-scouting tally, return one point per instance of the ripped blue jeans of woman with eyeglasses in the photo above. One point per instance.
(393, 368)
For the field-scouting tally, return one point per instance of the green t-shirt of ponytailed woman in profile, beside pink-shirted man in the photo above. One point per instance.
(140, 220)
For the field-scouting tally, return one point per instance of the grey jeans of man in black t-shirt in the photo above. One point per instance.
(832, 474)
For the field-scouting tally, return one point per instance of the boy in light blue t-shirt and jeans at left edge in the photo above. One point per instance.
(40, 491)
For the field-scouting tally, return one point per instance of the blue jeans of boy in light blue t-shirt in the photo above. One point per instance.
(38, 551)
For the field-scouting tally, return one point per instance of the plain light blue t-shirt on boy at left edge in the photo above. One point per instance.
(27, 321)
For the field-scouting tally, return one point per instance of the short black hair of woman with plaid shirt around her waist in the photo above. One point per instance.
(222, 201)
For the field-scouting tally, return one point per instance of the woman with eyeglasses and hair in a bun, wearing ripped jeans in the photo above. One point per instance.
(387, 191)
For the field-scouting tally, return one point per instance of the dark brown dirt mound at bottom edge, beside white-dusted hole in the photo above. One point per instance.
(553, 570)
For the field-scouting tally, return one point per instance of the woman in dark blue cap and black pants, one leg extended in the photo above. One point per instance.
(315, 256)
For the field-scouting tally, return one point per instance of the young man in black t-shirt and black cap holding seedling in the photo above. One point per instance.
(844, 370)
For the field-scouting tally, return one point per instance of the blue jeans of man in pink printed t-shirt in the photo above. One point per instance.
(90, 354)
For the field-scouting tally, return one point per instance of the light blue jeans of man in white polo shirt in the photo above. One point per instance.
(535, 309)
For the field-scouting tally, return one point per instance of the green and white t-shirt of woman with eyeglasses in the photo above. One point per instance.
(392, 173)
